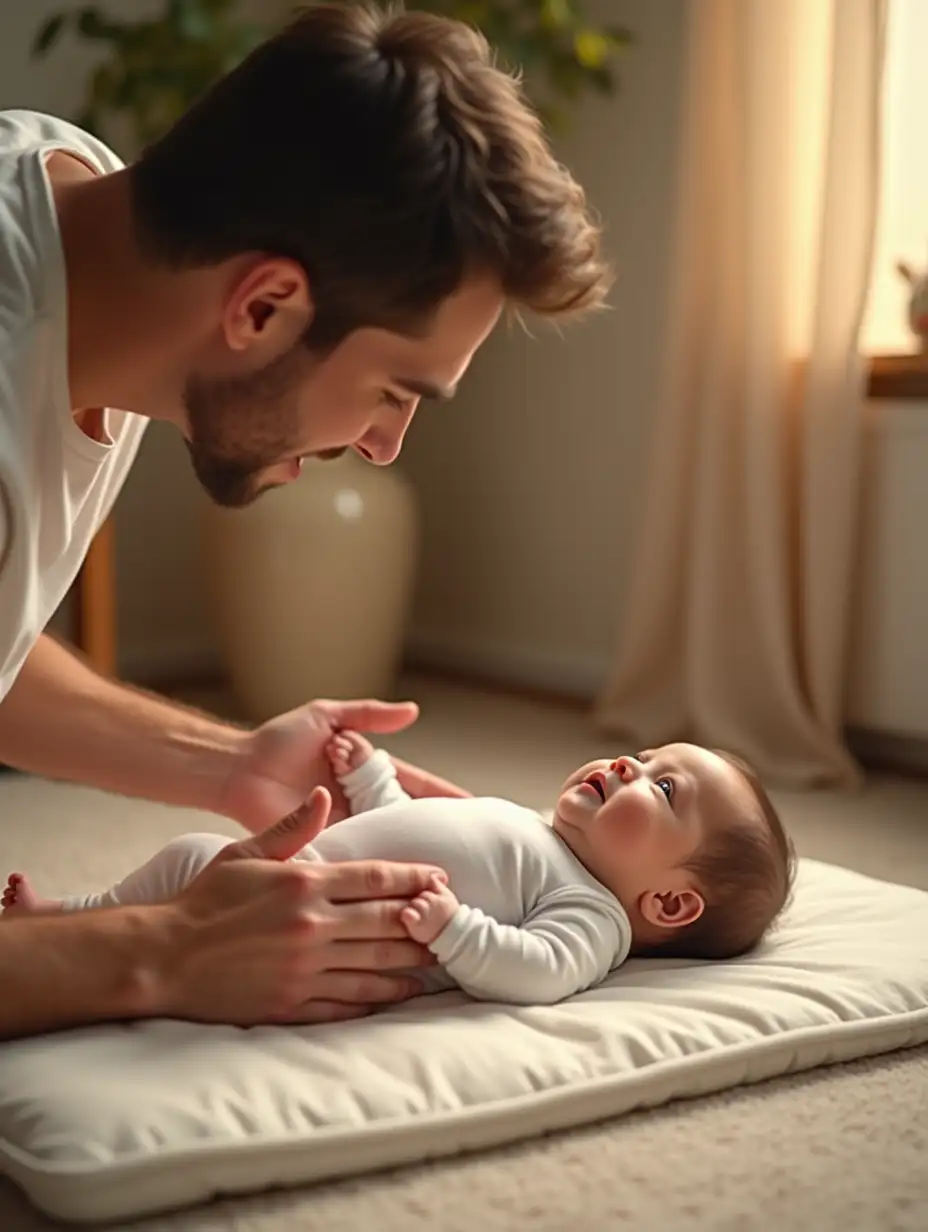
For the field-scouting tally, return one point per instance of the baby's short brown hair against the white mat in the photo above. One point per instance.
(746, 874)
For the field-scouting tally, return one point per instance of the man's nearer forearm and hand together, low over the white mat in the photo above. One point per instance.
(254, 939)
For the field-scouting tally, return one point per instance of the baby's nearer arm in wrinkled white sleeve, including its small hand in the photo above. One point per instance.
(564, 947)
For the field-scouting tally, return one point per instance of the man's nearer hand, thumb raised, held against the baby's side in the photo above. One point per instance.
(258, 938)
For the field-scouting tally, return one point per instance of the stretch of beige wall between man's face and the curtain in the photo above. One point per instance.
(532, 485)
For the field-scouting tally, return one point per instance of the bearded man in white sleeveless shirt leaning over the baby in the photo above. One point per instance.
(324, 241)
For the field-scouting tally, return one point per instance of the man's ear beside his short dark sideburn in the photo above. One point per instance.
(268, 307)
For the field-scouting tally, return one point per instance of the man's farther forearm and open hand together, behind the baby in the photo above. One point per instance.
(63, 721)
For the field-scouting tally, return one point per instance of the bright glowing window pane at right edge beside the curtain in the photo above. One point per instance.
(903, 222)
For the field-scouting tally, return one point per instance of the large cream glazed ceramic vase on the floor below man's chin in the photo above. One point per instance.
(311, 586)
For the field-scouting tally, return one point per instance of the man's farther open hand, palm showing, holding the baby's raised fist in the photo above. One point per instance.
(283, 762)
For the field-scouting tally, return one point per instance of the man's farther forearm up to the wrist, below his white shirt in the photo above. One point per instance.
(63, 721)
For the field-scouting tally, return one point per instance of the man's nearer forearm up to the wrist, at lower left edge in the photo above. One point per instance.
(67, 970)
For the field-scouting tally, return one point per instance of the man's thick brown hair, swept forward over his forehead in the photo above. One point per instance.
(385, 153)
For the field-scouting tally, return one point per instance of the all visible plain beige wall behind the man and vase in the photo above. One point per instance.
(531, 485)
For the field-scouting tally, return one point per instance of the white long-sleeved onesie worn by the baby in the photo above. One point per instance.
(534, 926)
